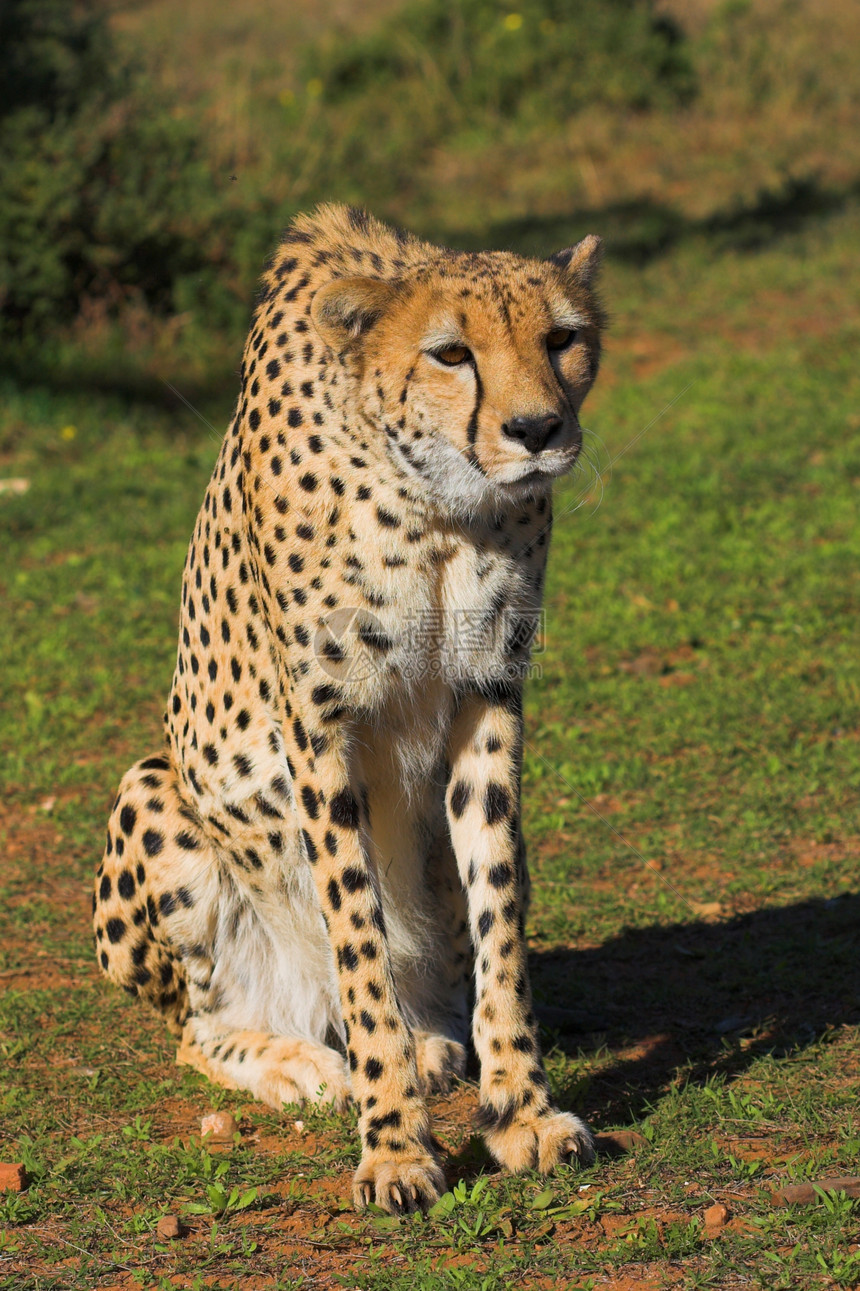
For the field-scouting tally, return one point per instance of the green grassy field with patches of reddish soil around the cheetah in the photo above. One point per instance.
(691, 795)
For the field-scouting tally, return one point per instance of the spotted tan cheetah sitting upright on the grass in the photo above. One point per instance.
(321, 880)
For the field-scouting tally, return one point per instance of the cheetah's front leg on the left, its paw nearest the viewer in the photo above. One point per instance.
(400, 1169)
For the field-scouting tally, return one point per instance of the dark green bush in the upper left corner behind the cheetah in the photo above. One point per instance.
(107, 194)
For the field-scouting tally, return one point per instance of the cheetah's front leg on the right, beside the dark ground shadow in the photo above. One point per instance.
(522, 1128)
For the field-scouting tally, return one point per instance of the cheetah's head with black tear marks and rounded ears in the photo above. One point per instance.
(475, 367)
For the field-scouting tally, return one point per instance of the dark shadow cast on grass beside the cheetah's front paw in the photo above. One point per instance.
(701, 999)
